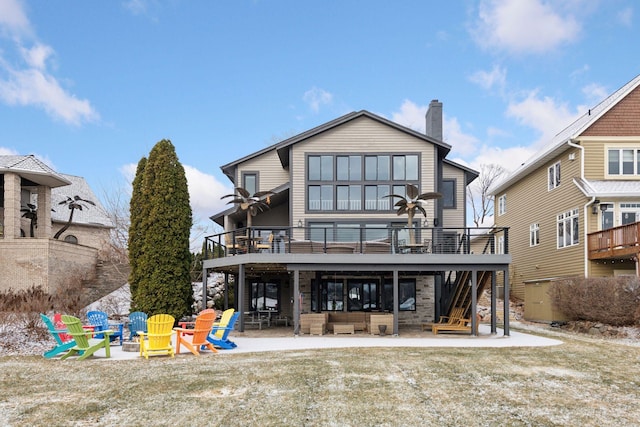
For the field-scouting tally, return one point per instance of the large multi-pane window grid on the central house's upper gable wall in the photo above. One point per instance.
(358, 182)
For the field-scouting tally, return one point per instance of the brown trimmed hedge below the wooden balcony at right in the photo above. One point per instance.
(610, 300)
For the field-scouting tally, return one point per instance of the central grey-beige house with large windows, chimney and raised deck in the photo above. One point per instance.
(331, 242)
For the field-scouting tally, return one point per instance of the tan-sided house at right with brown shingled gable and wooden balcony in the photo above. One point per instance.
(573, 209)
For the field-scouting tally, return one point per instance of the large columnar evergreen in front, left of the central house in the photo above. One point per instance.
(163, 264)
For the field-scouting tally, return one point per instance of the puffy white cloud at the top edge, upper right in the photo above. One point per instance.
(524, 26)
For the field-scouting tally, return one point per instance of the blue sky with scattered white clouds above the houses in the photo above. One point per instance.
(91, 87)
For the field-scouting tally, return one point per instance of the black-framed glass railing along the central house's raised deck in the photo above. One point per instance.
(356, 240)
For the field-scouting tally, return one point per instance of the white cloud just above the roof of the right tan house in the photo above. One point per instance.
(544, 114)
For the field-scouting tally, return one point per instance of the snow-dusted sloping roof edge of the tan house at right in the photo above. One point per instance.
(560, 142)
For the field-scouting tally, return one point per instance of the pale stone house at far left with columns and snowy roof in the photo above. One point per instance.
(31, 194)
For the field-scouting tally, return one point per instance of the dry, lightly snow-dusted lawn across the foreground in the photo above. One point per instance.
(584, 382)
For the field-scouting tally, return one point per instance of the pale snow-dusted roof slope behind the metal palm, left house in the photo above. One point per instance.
(78, 186)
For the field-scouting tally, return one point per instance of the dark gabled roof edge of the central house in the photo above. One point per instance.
(283, 147)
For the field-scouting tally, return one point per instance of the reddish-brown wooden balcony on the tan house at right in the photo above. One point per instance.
(616, 242)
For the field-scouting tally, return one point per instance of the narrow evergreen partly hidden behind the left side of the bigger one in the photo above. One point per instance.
(137, 213)
